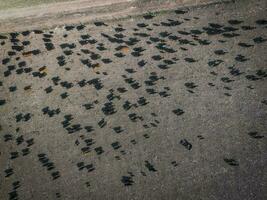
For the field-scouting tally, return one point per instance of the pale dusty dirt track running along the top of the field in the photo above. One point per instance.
(51, 15)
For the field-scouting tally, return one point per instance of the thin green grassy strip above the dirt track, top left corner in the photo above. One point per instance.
(6, 4)
